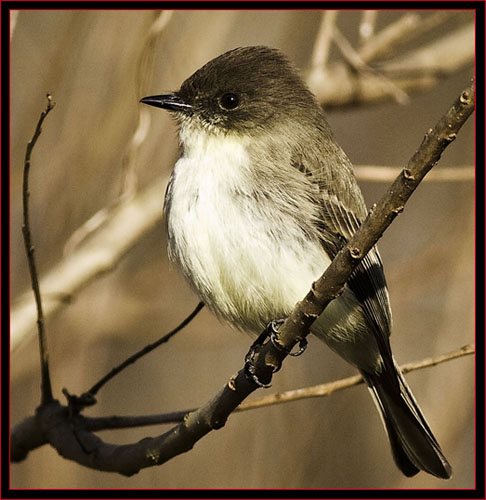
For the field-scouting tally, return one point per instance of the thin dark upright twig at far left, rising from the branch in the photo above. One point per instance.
(46, 390)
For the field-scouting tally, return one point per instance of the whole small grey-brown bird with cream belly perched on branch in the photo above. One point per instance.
(260, 201)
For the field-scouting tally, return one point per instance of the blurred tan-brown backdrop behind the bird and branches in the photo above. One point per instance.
(97, 66)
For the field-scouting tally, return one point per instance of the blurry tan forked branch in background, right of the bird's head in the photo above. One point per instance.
(392, 75)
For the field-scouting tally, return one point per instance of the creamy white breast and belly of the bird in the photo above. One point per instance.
(245, 263)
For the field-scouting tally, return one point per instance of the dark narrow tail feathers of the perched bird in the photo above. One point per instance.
(413, 445)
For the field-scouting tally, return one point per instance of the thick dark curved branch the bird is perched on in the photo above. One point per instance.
(68, 433)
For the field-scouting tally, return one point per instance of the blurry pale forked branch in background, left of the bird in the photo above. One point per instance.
(113, 230)
